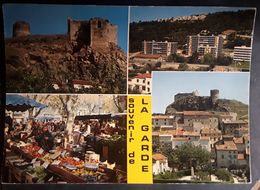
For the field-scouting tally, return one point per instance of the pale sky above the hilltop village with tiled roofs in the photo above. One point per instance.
(166, 84)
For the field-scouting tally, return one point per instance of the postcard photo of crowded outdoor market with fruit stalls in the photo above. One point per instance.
(65, 139)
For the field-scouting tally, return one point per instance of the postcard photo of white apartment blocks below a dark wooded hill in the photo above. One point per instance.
(216, 39)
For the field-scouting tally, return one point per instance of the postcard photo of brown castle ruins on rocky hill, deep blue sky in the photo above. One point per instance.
(66, 48)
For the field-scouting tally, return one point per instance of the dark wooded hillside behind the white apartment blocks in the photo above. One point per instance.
(178, 29)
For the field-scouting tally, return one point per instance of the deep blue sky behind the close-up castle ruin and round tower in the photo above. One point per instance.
(52, 19)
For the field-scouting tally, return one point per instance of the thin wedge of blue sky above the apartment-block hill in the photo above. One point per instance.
(152, 13)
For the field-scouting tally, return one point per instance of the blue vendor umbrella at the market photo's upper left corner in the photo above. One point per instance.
(21, 103)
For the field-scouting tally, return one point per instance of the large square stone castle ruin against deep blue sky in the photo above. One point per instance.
(97, 33)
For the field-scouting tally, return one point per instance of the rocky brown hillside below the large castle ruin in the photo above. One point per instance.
(35, 63)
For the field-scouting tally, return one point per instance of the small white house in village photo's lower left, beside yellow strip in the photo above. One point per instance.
(160, 164)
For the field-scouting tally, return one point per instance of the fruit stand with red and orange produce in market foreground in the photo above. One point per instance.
(60, 165)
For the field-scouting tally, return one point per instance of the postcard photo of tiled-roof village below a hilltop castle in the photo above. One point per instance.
(200, 127)
